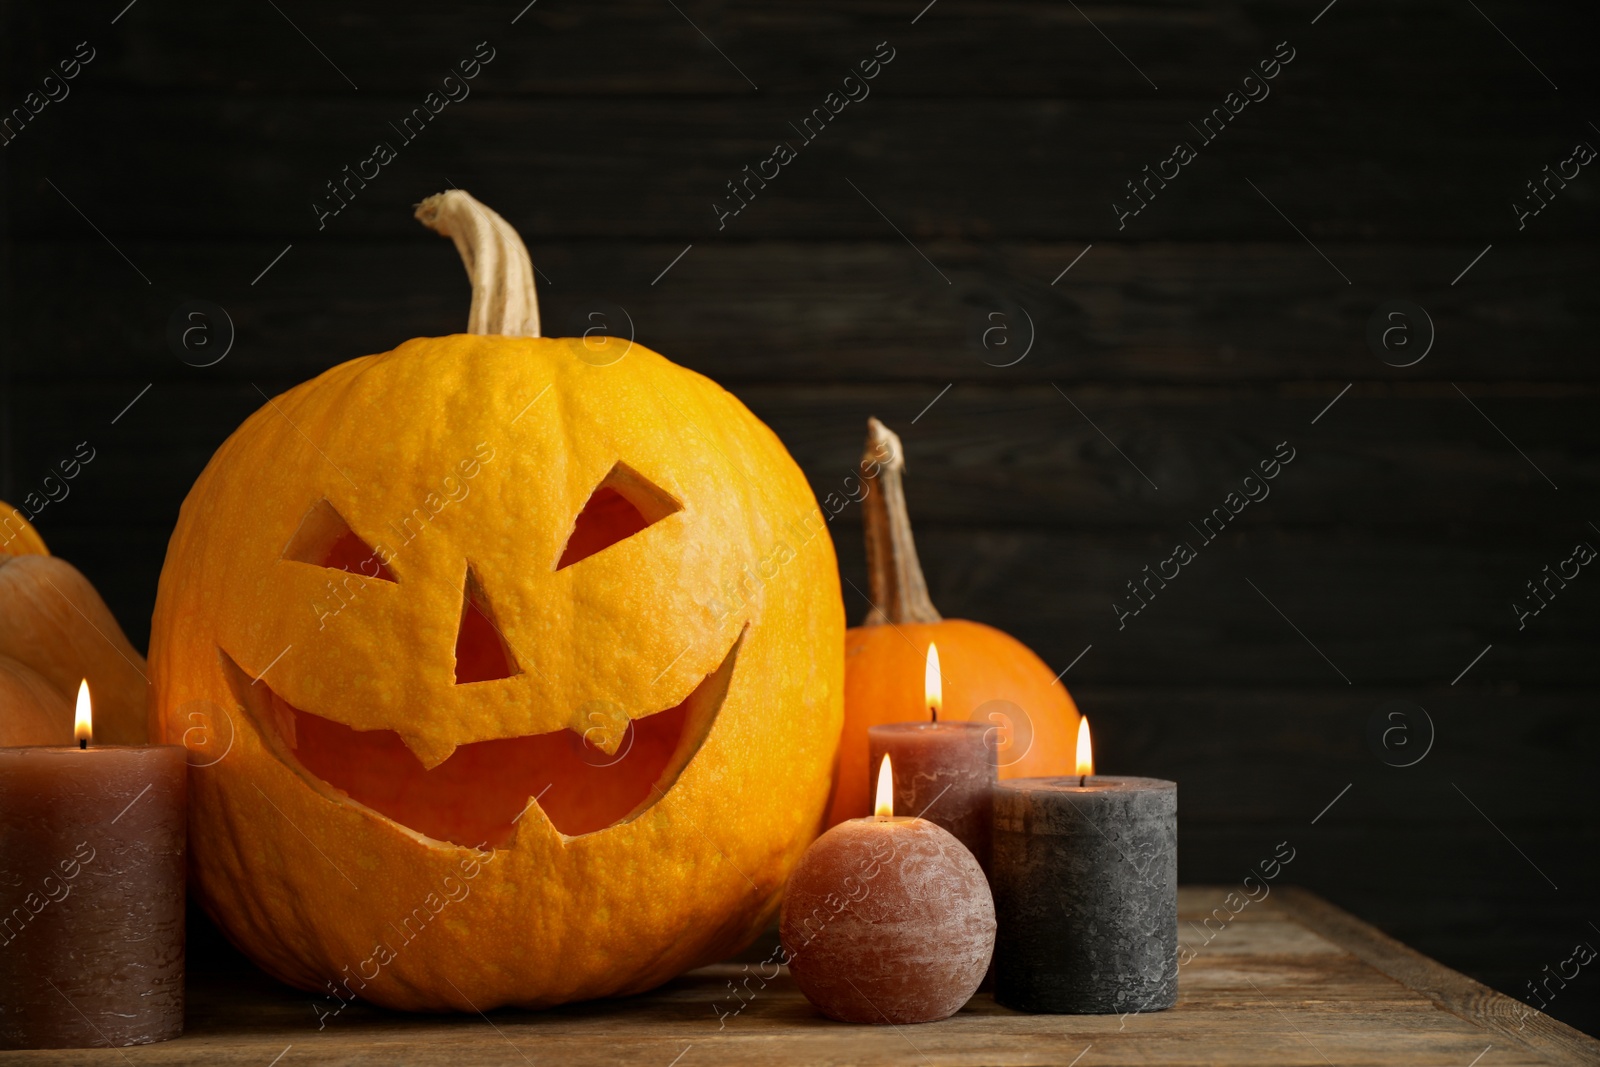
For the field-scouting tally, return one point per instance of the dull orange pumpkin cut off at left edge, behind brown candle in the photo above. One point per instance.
(55, 633)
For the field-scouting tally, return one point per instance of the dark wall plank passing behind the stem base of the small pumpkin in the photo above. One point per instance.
(1382, 607)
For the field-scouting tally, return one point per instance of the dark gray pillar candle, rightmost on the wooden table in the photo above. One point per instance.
(1086, 885)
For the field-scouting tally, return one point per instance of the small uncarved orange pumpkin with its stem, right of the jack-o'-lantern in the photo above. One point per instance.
(988, 676)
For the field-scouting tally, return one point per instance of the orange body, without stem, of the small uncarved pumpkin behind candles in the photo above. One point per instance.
(988, 677)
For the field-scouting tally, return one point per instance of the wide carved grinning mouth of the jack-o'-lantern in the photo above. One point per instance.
(482, 791)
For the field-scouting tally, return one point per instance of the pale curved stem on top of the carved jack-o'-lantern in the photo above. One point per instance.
(503, 298)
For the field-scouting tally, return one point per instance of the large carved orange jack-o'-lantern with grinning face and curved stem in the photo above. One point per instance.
(474, 719)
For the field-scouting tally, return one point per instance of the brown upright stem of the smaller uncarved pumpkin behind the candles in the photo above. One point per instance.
(900, 593)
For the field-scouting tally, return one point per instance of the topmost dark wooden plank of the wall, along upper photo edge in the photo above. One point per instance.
(1030, 49)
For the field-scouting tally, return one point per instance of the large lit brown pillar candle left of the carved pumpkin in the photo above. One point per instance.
(92, 897)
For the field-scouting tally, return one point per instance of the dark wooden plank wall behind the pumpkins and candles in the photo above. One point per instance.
(1222, 321)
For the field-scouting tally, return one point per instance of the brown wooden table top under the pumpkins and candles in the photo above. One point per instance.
(1287, 981)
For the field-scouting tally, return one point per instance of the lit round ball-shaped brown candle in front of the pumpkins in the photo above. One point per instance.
(889, 921)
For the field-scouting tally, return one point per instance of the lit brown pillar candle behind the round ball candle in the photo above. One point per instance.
(945, 772)
